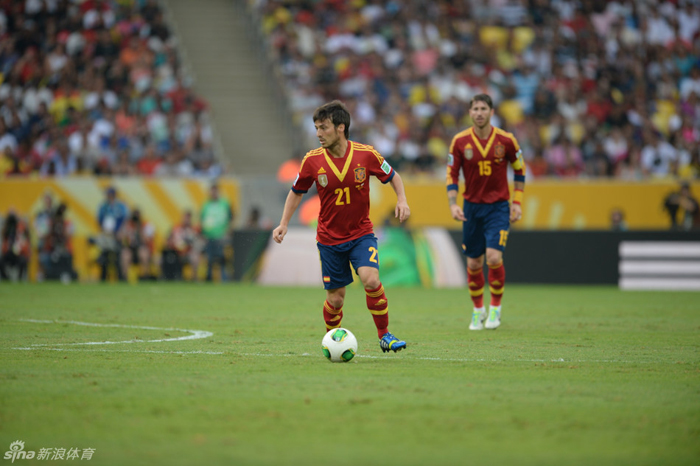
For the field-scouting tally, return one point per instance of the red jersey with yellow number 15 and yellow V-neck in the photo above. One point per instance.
(484, 165)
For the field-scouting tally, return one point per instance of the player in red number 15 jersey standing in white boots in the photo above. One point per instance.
(481, 153)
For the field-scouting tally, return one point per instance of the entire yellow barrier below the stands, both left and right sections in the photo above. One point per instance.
(548, 204)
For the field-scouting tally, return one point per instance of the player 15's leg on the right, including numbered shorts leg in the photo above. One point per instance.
(497, 227)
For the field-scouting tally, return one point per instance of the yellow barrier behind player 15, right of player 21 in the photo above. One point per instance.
(548, 205)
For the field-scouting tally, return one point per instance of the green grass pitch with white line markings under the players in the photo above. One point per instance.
(575, 375)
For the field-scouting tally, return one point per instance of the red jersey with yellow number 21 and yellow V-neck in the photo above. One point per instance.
(343, 188)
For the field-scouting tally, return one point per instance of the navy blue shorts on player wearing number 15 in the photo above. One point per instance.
(487, 226)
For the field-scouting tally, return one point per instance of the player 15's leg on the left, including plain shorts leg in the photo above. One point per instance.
(473, 246)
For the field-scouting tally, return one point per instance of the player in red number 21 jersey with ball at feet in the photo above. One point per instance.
(341, 169)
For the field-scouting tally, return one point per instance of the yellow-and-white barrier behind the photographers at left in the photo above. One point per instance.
(161, 202)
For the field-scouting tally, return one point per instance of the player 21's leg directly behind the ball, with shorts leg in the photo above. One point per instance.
(336, 272)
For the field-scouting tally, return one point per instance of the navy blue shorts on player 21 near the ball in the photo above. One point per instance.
(336, 260)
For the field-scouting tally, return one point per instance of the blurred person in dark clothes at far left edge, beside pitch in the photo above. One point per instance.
(14, 248)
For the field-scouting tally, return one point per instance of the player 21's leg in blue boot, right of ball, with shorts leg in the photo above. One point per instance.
(364, 256)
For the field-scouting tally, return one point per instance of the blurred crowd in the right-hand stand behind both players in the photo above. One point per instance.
(590, 88)
